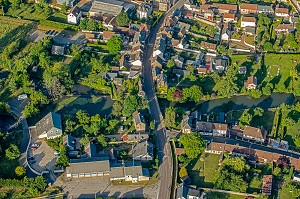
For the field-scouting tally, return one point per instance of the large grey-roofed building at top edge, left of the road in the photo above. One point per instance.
(109, 7)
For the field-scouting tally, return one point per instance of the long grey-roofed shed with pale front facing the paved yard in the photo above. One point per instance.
(88, 167)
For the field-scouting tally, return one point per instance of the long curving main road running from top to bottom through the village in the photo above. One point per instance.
(164, 148)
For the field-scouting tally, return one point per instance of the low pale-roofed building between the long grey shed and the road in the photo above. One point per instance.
(129, 173)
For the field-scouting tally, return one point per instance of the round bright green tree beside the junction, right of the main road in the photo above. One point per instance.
(193, 144)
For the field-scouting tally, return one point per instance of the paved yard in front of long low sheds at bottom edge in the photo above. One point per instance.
(101, 187)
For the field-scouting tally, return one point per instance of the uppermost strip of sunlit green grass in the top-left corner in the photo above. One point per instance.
(28, 11)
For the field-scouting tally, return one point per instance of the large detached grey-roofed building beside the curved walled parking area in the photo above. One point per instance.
(49, 127)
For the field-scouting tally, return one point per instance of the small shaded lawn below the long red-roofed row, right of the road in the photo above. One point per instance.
(204, 174)
